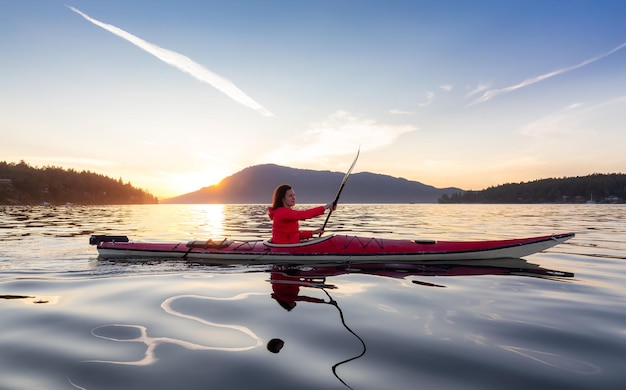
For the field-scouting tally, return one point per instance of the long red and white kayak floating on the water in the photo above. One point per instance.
(331, 248)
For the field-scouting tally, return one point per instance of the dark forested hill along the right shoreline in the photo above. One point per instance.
(596, 188)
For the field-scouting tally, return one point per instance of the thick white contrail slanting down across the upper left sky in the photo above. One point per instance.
(184, 64)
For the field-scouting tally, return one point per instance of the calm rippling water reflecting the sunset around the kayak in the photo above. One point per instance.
(70, 320)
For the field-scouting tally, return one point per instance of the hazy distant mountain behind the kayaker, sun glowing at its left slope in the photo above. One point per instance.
(255, 185)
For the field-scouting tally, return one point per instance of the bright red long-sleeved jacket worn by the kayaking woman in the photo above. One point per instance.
(286, 229)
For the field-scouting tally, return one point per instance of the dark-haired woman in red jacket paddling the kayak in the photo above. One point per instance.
(285, 228)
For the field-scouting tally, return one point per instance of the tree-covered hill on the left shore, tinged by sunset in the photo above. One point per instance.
(22, 184)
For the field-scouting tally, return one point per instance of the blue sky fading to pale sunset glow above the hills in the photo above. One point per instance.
(175, 95)
